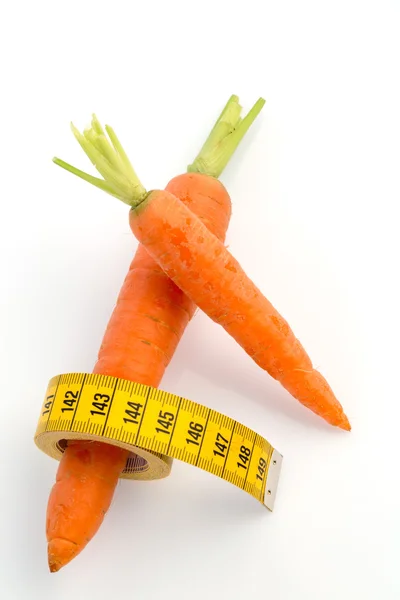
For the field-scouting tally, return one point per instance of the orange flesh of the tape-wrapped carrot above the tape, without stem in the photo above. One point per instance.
(152, 312)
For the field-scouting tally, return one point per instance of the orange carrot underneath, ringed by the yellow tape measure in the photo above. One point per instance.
(144, 330)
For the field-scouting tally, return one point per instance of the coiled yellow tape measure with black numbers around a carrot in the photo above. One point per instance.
(155, 427)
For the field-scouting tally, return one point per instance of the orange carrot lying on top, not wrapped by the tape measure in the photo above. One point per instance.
(206, 272)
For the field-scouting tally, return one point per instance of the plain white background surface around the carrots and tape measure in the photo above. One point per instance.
(315, 191)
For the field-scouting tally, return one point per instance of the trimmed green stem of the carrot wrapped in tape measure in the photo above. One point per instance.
(224, 138)
